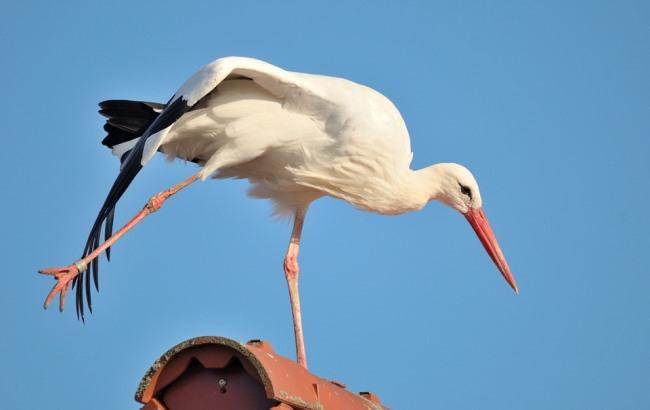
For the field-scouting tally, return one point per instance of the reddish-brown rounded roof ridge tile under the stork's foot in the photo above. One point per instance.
(191, 367)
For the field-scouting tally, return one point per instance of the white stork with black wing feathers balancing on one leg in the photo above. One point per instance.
(295, 137)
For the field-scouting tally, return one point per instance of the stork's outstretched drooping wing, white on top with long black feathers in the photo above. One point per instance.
(283, 84)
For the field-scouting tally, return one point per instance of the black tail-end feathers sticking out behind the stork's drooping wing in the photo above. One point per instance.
(126, 121)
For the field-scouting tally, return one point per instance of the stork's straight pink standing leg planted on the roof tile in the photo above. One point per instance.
(291, 272)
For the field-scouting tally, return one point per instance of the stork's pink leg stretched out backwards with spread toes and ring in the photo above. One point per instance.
(65, 275)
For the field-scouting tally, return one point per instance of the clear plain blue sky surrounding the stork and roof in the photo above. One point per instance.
(547, 102)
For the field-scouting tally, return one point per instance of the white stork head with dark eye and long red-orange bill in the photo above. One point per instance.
(457, 188)
